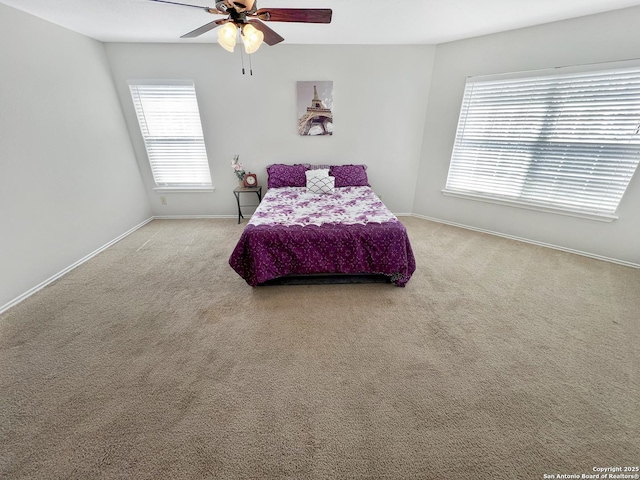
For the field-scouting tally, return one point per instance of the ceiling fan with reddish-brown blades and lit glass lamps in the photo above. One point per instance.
(244, 15)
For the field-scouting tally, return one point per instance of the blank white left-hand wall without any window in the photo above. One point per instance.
(69, 182)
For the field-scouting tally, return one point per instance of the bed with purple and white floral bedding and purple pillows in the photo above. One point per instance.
(322, 220)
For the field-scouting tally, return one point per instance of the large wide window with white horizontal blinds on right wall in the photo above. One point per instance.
(566, 142)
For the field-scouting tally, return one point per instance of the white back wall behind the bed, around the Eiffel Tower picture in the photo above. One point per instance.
(380, 97)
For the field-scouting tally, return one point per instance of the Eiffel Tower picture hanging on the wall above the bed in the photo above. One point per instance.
(317, 118)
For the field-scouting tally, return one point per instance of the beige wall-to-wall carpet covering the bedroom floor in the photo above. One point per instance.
(154, 360)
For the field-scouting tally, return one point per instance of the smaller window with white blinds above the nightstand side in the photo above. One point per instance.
(170, 124)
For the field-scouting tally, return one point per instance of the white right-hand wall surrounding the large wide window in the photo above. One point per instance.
(598, 38)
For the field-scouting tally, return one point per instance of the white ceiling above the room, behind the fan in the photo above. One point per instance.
(354, 21)
